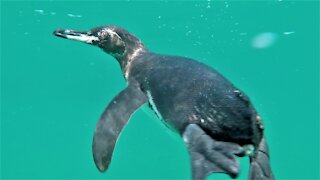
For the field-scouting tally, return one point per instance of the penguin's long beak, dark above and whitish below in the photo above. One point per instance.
(83, 36)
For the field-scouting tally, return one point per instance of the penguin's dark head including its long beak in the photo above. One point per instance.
(113, 40)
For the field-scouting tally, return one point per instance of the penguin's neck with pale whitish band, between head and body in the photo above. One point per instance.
(128, 57)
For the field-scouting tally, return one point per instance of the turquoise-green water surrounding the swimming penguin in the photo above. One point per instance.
(53, 90)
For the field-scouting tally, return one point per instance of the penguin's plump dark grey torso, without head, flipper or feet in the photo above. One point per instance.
(182, 96)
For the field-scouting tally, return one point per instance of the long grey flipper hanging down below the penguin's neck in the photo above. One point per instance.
(112, 121)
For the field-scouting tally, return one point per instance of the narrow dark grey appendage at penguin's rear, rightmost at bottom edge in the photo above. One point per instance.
(260, 168)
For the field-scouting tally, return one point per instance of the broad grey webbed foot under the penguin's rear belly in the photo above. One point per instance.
(210, 156)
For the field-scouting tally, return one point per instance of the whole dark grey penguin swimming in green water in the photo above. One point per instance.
(215, 119)
